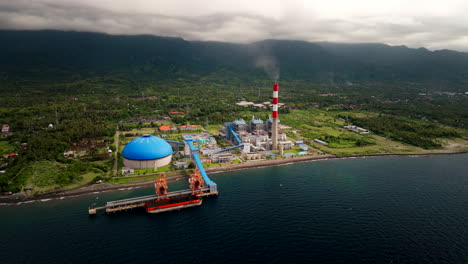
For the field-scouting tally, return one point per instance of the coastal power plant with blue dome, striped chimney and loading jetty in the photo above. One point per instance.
(255, 139)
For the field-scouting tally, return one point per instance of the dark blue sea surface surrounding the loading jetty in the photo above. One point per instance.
(363, 210)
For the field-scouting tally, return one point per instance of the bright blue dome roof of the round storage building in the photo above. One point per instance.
(147, 147)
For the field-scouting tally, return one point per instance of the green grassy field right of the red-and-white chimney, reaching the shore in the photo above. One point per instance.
(327, 126)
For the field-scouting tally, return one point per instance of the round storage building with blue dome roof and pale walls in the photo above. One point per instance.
(147, 152)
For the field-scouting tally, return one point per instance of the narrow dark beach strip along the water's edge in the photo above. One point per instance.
(94, 188)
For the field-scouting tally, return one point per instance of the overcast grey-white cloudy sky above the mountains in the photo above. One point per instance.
(414, 23)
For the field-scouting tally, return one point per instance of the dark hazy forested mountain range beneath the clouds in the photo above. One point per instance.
(74, 55)
